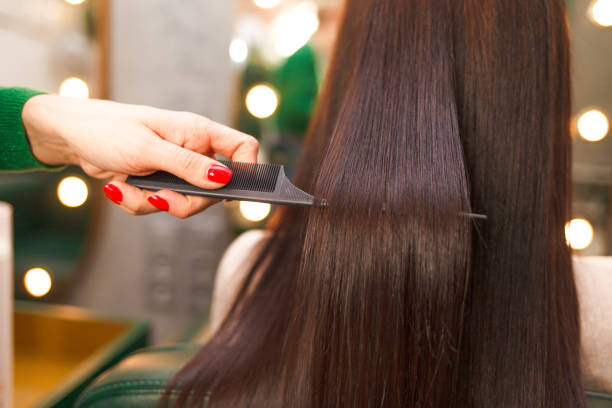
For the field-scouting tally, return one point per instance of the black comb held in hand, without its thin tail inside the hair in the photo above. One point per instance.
(266, 183)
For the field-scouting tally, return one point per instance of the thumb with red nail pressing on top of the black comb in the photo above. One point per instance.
(193, 167)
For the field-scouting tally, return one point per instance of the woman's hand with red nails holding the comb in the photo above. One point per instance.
(112, 140)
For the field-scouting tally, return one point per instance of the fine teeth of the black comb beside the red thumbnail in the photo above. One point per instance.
(252, 176)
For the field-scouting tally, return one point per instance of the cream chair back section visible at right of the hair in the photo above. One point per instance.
(594, 285)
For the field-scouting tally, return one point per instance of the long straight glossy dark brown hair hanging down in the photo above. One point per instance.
(390, 298)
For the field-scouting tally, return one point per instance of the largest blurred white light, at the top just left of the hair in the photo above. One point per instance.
(293, 28)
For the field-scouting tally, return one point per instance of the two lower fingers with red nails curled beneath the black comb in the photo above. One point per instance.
(135, 201)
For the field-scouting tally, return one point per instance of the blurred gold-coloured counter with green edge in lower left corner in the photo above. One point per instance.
(60, 349)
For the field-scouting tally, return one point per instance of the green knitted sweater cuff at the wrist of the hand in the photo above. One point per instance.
(15, 151)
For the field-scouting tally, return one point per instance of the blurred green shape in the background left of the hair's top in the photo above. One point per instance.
(297, 84)
